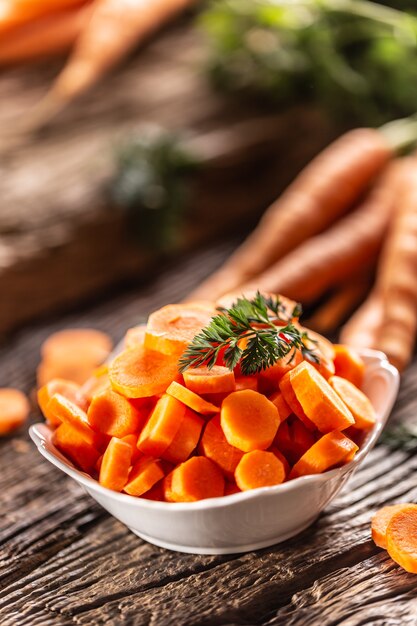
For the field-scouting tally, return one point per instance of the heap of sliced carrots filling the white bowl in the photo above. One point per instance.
(149, 431)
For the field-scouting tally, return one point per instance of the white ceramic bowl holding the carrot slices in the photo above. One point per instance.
(243, 521)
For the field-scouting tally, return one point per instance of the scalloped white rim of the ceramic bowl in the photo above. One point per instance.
(41, 434)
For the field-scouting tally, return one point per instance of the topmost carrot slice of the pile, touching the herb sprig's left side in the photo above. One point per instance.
(171, 329)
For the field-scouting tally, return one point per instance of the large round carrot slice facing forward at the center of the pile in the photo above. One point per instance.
(249, 420)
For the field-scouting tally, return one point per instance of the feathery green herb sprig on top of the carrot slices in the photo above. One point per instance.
(266, 326)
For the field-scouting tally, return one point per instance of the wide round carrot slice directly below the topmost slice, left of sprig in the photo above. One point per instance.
(139, 373)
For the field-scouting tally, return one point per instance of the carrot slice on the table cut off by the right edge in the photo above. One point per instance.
(402, 538)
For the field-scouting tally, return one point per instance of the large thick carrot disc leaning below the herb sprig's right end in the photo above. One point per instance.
(319, 401)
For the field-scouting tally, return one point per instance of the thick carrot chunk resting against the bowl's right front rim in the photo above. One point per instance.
(330, 450)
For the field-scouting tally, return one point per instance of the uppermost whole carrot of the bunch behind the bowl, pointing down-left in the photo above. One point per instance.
(323, 192)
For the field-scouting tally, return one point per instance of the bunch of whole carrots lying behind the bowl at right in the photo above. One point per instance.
(350, 214)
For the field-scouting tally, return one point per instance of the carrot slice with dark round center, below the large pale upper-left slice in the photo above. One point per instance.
(112, 414)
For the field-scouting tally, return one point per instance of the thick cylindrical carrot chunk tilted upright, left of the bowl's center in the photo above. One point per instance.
(162, 426)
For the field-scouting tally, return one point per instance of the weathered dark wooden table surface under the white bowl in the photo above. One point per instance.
(65, 561)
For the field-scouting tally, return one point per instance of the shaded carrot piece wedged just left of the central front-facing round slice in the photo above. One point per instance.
(215, 447)
